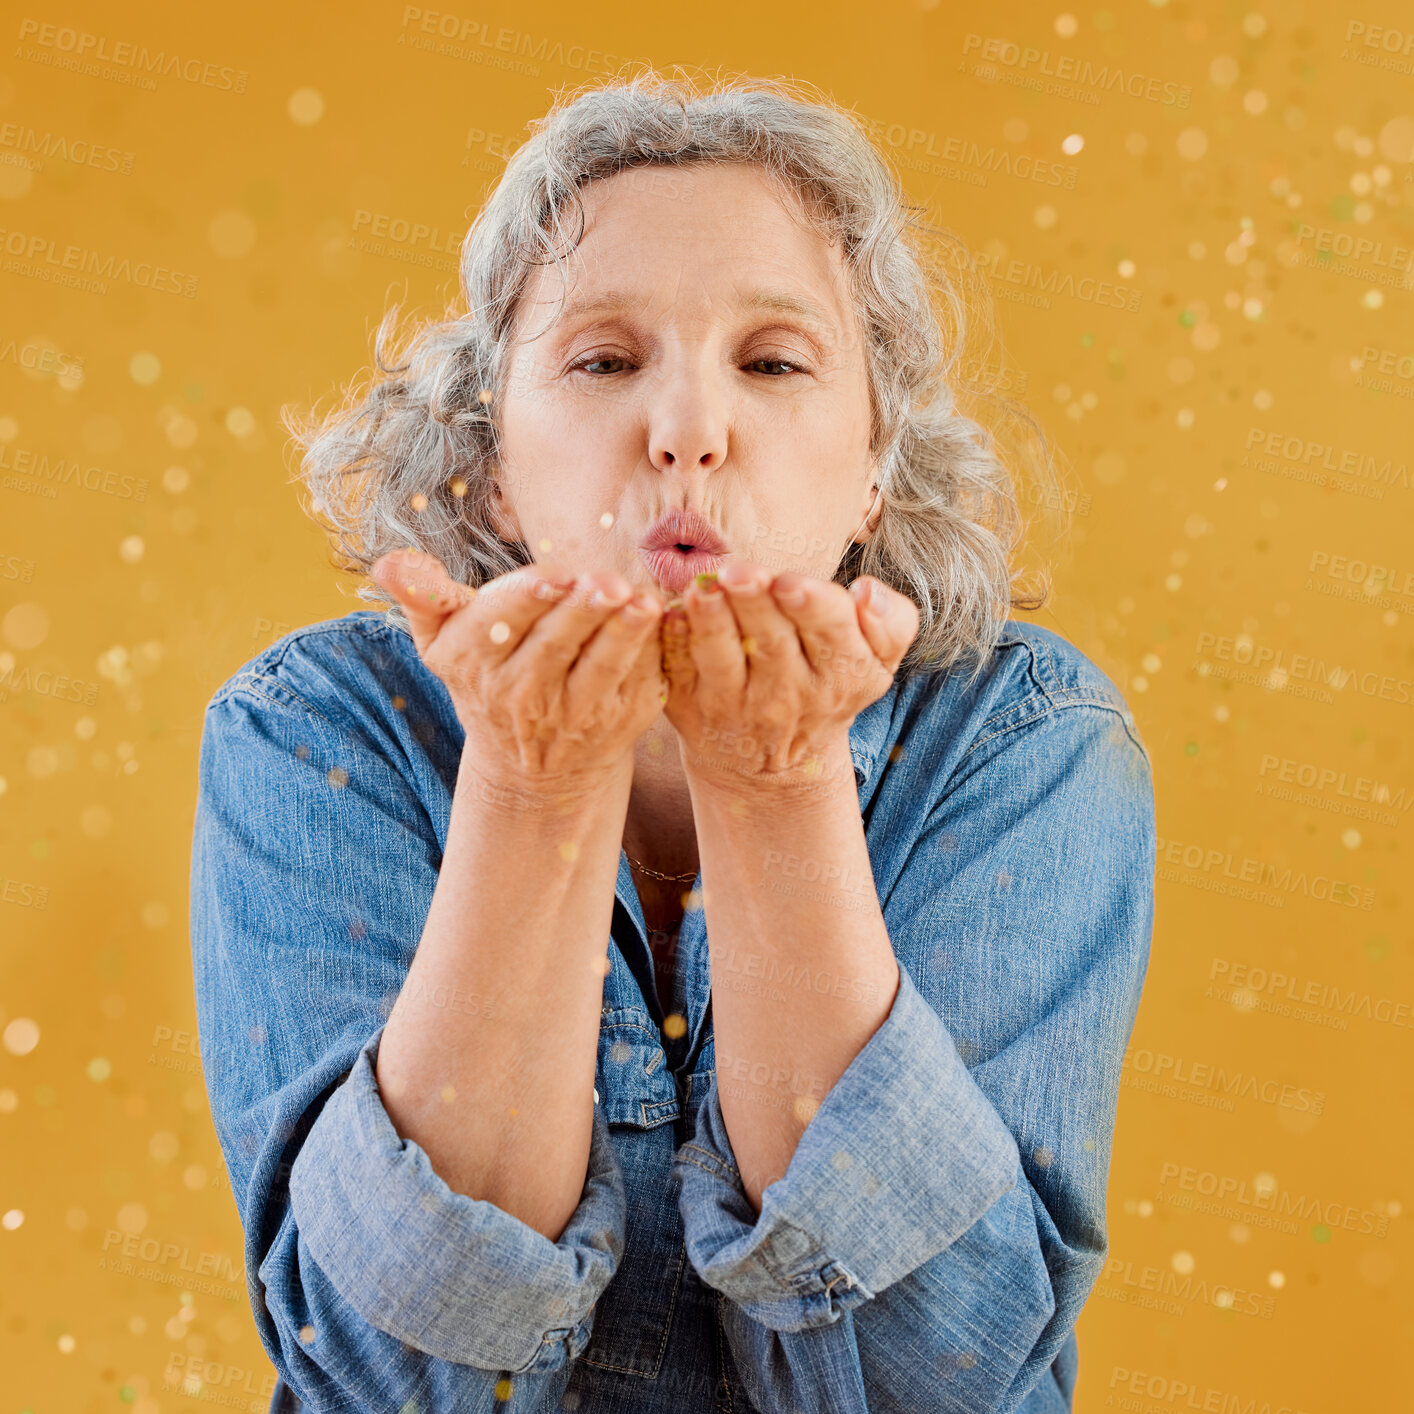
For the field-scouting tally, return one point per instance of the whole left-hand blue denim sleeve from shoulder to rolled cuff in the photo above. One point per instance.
(373, 1285)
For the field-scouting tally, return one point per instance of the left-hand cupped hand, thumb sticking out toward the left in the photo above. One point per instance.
(554, 675)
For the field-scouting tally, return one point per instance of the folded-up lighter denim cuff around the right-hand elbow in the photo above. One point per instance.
(869, 1196)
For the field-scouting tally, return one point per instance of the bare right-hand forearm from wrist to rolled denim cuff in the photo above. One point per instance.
(802, 972)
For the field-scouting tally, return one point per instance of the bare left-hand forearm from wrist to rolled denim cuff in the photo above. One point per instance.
(489, 1057)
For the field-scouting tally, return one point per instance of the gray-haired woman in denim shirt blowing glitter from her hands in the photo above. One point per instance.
(681, 955)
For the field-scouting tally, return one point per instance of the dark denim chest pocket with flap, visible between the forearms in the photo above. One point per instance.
(638, 1095)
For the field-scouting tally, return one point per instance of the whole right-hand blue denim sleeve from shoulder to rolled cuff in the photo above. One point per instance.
(941, 1224)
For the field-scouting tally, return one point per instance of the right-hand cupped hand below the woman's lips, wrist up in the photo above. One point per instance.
(767, 672)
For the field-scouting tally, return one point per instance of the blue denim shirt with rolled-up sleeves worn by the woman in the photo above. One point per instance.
(944, 1218)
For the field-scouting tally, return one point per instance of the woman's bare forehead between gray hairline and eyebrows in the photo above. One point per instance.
(698, 238)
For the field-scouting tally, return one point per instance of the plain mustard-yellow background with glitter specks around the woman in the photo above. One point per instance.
(1207, 552)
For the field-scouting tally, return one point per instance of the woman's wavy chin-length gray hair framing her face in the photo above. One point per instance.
(412, 460)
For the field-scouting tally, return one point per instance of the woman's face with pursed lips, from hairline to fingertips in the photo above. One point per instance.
(708, 360)
